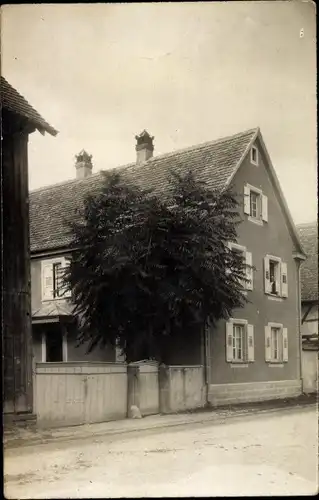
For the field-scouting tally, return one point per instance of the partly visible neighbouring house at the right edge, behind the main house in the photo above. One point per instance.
(308, 234)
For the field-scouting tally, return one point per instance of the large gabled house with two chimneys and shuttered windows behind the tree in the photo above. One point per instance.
(256, 354)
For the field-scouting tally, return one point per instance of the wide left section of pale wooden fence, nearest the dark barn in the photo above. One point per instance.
(80, 393)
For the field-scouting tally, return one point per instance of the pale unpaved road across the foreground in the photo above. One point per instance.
(266, 454)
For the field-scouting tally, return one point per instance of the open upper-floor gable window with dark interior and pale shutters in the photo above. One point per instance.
(276, 281)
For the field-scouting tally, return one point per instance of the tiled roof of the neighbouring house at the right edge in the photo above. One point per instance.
(308, 234)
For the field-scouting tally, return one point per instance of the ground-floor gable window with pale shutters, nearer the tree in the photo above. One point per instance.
(239, 341)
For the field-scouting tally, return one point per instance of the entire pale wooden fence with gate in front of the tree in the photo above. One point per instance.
(76, 393)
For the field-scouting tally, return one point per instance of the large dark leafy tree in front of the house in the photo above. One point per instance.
(145, 270)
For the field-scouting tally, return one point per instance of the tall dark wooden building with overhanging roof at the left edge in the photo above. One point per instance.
(18, 121)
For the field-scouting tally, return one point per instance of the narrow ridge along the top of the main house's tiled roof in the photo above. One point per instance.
(150, 160)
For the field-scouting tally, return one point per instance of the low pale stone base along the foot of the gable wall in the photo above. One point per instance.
(223, 394)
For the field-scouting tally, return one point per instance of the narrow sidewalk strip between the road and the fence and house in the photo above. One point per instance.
(31, 436)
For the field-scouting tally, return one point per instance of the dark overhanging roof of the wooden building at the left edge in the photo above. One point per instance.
(16, 103)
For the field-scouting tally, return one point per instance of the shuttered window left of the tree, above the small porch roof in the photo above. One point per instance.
(52, 271)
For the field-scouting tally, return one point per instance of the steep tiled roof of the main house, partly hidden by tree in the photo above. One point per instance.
(215, 162)
